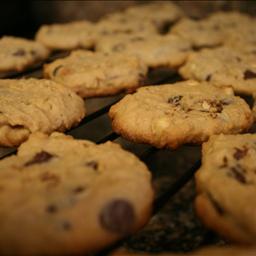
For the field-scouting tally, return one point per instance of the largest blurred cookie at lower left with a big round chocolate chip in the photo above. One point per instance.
(70, 197)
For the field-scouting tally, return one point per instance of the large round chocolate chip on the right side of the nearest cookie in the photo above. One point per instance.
(117, 216)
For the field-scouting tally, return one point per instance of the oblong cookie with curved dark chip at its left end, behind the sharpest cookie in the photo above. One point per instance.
(97, 74)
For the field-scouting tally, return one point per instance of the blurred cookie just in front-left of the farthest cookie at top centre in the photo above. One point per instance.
(123, 23)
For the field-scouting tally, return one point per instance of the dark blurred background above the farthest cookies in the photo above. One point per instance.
(22, 18)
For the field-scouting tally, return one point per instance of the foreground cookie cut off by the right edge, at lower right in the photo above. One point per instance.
(226, 186)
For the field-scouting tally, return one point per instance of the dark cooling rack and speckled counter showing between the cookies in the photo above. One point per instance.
(172, 173)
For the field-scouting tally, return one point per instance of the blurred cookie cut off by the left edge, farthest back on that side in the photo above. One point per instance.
(18, 54)
